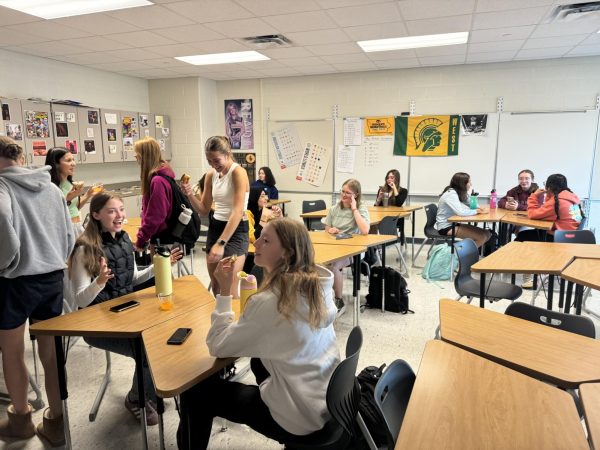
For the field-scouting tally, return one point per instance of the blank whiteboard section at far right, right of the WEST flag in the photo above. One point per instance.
(546, 143)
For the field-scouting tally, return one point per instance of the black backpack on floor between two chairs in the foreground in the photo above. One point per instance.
(367, 379)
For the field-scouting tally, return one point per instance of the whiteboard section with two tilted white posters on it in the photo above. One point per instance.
(318, 131)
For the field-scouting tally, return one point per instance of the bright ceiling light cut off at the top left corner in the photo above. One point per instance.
(53, 9)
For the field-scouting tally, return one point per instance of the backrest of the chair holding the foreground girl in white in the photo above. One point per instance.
(343, 391)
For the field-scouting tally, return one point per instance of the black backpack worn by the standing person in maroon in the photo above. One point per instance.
(191, 233)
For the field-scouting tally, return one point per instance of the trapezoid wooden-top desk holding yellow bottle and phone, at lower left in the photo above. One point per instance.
(99, 321)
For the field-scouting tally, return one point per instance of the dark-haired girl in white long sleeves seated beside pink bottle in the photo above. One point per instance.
(455, 202)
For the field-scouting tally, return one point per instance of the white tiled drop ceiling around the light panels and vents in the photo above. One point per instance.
(142, 42)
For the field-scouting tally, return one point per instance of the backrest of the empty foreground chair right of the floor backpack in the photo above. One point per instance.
(392, 393)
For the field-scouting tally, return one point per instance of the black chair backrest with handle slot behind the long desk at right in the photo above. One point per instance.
(575, 324)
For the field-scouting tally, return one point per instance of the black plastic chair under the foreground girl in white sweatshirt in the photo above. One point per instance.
(343, 397)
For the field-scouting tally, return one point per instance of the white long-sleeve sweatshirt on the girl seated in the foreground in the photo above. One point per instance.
(299, 359)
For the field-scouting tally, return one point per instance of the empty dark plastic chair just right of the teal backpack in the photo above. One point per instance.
(467, 286)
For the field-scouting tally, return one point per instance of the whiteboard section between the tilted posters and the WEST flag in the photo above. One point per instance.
(372, 160)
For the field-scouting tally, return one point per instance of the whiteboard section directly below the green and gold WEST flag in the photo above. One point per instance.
(476, 156)
